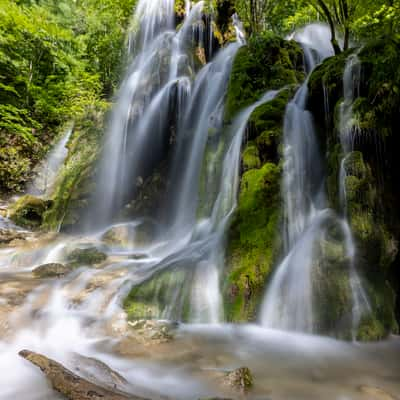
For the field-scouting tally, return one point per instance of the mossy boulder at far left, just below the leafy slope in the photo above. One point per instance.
(29, 211)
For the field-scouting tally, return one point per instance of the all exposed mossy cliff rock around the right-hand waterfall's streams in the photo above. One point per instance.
(371, 171)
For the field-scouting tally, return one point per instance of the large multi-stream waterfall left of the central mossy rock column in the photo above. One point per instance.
(166, 111)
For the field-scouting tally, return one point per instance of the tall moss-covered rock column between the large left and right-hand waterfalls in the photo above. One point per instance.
(267, 62)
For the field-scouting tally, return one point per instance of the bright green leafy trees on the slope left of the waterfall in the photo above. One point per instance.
(57, 59)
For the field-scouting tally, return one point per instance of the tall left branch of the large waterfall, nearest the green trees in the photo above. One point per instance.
(139, 131)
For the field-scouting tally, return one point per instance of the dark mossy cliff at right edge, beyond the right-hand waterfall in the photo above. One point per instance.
(371, 169)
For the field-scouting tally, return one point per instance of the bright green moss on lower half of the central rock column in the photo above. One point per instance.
(253, 241)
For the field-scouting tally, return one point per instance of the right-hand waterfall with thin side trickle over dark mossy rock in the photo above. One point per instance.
(290, 301)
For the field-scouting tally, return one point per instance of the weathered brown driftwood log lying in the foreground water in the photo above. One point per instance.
(71, 385)
